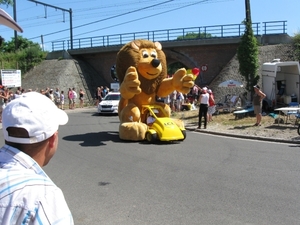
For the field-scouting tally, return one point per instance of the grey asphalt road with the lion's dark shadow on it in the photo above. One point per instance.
(203, 180)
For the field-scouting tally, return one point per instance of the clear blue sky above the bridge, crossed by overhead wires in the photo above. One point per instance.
(106, 17)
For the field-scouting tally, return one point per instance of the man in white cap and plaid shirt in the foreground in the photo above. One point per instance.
(27, 195)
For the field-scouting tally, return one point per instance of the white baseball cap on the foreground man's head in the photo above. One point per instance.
(34, 112)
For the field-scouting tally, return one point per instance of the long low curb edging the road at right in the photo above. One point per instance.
(243, 136)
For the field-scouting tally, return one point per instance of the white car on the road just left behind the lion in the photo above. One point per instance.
(110, 103)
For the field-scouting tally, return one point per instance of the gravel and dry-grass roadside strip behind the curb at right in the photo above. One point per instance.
(226, 124)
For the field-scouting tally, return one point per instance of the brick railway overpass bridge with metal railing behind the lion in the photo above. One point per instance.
(216, 46)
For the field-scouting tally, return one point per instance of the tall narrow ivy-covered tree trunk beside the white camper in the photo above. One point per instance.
(247, 54)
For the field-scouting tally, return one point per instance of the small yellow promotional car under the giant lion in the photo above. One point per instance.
(162, 128)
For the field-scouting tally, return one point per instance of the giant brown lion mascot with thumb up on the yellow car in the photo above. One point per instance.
(142, 71)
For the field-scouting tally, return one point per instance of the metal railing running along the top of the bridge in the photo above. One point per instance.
(192, 33)
